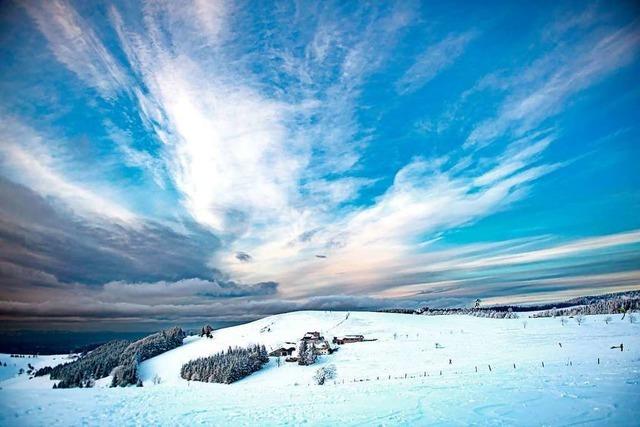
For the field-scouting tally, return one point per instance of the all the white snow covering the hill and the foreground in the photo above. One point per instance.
(370, 387)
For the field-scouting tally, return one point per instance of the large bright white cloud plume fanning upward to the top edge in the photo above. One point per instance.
(249, 164)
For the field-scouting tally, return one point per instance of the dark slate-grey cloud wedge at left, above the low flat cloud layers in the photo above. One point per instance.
(43, 237)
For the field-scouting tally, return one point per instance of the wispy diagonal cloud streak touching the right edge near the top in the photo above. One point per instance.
(541, 91)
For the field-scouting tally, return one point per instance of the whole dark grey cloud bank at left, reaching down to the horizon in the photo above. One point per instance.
(59, 270)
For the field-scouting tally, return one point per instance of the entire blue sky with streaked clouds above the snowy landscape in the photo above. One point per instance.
(179, 162)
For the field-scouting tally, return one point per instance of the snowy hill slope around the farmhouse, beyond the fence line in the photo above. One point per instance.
(467, 341)
